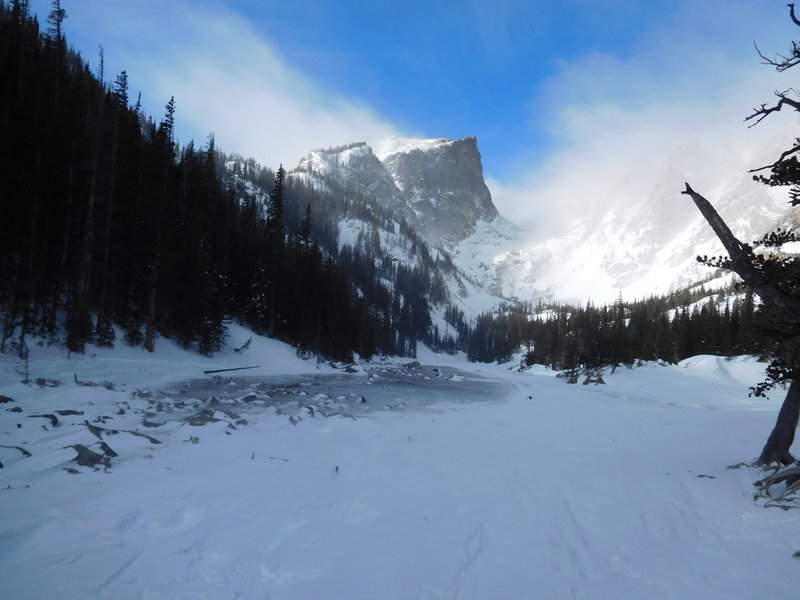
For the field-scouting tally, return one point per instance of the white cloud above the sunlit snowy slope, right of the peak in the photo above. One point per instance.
(627, 128)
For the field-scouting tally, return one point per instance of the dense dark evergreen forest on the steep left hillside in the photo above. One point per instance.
(107, 222)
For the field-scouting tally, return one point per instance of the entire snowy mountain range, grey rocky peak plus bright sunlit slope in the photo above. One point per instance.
(638, 240)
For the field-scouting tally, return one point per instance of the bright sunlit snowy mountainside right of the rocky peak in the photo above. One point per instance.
(644, 239)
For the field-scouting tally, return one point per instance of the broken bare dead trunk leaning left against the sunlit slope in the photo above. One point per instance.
(741, 260)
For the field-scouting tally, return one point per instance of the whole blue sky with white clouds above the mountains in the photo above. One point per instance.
(547, 87)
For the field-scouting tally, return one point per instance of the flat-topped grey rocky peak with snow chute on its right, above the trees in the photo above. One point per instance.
(437, 187)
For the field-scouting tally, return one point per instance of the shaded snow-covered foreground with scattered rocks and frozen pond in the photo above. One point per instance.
(470, 481)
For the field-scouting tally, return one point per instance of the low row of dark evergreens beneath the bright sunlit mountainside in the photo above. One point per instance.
(669, 328)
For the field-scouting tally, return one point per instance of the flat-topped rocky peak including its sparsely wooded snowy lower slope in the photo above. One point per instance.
(436, 186)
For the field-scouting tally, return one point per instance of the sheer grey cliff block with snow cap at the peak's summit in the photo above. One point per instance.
(442, 182)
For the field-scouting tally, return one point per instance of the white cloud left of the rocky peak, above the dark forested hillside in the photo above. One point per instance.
(226, 77)
